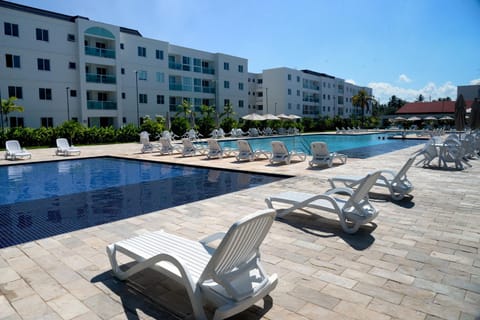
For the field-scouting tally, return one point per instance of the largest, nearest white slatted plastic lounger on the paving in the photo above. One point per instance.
(230, 277)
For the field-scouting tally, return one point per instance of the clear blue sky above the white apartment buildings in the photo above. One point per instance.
(397, 47)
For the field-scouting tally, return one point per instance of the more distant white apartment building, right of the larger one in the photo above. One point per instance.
(304, 93)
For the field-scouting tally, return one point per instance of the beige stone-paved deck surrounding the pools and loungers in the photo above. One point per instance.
(420, 259)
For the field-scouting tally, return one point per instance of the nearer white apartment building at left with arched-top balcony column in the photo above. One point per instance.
(68, 67)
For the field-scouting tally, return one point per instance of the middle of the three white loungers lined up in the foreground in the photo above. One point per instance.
(353, 212)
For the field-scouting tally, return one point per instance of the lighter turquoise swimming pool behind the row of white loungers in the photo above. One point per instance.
(354, 146)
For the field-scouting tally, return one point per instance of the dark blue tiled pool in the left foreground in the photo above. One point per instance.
(45, 199)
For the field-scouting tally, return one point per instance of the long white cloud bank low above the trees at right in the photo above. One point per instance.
(384, 91)
